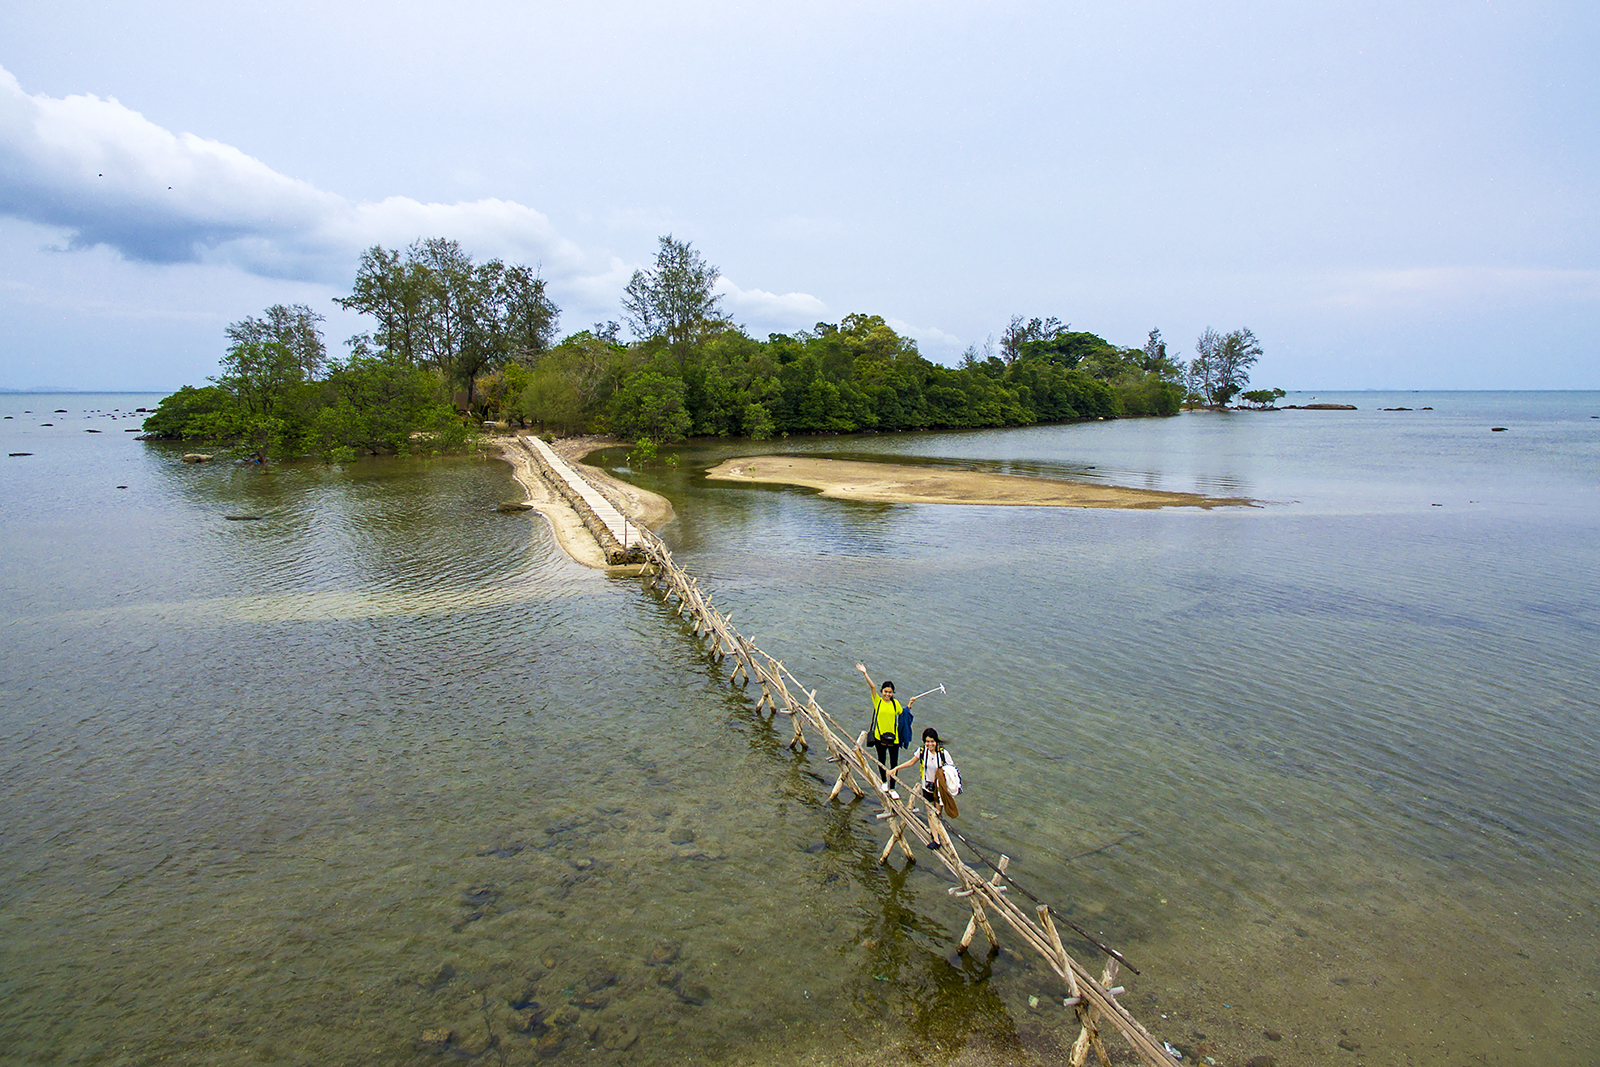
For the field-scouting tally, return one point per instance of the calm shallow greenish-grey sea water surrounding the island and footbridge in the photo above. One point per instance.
(378, 777)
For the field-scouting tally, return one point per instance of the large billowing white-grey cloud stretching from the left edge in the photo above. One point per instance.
(110, 177)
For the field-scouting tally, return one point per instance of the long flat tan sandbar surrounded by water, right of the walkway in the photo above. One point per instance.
(895, 484)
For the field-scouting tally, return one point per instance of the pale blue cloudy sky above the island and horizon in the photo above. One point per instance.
(1391, 196)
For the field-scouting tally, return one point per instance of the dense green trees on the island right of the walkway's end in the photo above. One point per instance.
(697, 374)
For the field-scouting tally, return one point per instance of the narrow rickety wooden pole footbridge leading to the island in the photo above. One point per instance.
(1094, 999)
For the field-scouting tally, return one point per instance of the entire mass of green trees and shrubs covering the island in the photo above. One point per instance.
(458, 342)
